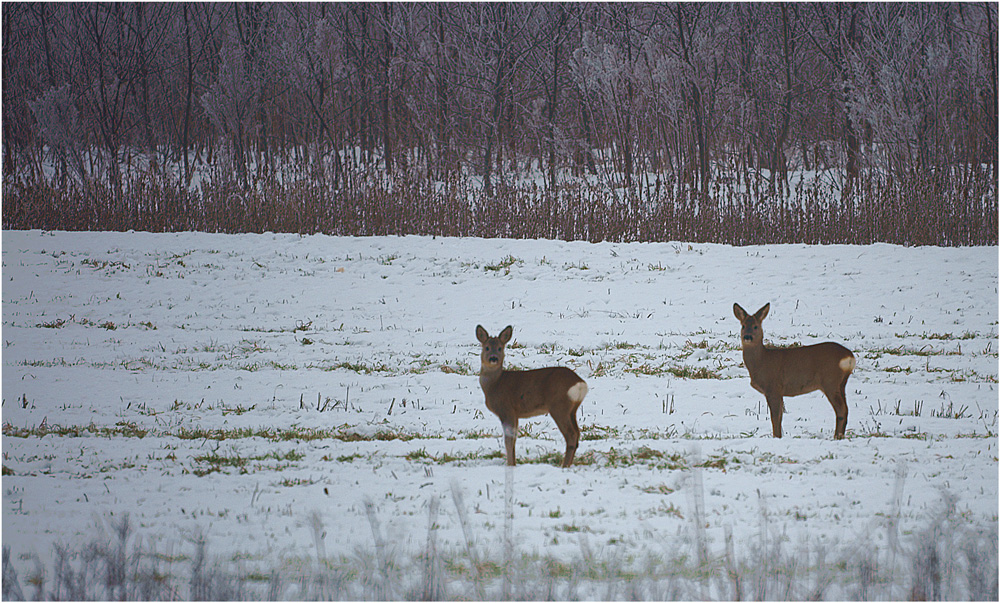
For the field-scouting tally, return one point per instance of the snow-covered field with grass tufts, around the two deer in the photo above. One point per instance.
(251, 388)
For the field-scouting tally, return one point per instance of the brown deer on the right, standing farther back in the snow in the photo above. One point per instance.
(777, 373)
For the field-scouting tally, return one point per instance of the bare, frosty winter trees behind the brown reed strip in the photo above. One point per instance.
(633, 99)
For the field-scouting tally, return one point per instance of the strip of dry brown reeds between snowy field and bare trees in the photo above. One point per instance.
(922, 209)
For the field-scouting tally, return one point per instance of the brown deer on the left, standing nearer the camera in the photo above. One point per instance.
(513, 395)
